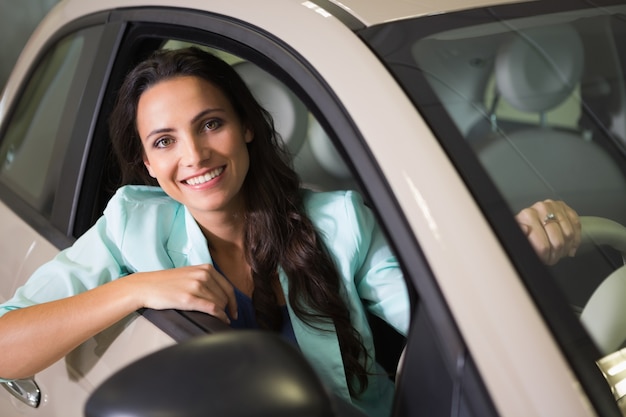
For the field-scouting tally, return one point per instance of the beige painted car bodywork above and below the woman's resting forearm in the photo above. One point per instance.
(67, 384)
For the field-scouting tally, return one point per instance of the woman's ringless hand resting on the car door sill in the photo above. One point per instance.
(191, 288)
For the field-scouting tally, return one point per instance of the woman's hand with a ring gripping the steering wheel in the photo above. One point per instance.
(553, 229)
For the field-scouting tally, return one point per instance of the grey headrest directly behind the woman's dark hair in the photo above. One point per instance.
(289, 113)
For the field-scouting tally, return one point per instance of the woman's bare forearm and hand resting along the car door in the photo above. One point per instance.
(33, 338)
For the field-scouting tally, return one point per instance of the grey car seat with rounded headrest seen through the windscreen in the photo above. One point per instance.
(536, 69)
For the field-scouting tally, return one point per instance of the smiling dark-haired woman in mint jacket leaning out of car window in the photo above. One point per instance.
(228, 232)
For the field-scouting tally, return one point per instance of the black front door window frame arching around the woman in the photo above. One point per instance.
(276, 57)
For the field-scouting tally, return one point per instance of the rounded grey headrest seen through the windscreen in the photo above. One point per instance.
(537, 69)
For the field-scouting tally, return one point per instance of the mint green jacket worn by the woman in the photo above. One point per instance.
(142, 229)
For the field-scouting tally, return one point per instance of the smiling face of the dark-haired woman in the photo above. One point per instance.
(194, 144)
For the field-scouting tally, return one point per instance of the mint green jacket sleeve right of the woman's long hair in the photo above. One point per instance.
(371, 273)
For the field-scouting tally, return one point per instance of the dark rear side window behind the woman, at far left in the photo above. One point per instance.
(34, 142)
